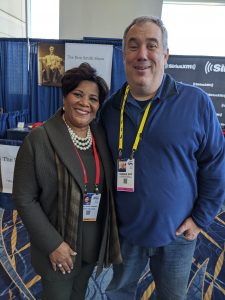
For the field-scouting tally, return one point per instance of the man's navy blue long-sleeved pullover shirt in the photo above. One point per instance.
(179, 163)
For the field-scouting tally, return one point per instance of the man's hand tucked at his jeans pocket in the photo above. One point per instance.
(189, 229)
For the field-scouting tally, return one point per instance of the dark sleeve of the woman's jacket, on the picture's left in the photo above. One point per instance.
(26, 194)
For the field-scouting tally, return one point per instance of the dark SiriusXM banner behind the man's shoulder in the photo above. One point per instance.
(206, 72)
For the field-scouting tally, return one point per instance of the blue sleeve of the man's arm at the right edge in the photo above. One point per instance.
(211, 170)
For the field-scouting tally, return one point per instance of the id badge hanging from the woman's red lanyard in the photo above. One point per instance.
(90, 206)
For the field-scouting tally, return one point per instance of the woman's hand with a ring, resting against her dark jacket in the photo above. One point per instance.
(62, 258)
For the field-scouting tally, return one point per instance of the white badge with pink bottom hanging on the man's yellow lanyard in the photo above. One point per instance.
(125, 175)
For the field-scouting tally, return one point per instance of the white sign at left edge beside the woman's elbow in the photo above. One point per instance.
(7, 161)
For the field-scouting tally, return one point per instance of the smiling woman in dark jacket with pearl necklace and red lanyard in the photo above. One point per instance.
(59, 165)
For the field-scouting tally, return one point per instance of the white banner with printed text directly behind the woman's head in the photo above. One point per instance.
(98, 56)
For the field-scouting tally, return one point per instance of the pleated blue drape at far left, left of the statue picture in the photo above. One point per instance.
(14, 92)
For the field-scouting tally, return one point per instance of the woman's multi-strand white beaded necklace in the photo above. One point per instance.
(79, 142)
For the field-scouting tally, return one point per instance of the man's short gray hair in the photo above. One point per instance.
(146, 19)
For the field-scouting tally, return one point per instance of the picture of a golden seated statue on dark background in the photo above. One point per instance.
(51, 64)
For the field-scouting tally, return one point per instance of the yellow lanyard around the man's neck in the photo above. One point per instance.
(140, 129)
